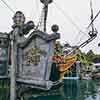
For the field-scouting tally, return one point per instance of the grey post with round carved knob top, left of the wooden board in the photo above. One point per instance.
(18, 20)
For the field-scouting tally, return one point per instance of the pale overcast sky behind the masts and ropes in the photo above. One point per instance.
(72, 16)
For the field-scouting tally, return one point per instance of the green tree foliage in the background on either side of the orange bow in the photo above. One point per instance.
(85, 58)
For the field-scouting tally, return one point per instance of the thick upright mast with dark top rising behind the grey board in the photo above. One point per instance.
(45, 11)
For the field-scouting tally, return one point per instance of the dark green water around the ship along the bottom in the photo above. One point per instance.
(72, 90)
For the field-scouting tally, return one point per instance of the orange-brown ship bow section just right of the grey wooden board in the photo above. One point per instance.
(64, 63)
